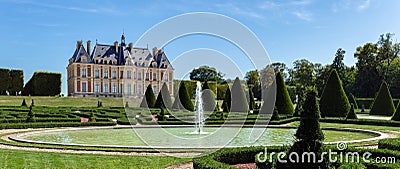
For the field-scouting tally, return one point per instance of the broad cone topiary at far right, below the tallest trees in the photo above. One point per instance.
(383, 103)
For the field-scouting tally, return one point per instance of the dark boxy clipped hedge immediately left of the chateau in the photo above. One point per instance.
(43, 84)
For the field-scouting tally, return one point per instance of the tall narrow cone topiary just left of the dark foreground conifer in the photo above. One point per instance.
(283, 102)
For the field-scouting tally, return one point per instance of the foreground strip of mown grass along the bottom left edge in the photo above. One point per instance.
(31, 159)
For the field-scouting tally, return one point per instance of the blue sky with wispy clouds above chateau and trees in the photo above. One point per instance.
(41, 35)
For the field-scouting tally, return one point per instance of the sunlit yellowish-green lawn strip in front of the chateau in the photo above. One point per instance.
(62, 101)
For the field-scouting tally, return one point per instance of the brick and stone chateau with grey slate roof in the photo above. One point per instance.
(117, 70)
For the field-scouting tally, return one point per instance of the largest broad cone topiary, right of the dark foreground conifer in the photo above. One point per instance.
(334, 102)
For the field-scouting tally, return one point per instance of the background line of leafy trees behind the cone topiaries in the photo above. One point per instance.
(376, 62)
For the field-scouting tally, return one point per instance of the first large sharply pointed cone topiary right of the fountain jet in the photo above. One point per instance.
(239, 101)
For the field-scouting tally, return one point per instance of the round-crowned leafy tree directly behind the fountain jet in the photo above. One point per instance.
(206, 73)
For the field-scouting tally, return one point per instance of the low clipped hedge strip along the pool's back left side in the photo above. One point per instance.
(52, 125)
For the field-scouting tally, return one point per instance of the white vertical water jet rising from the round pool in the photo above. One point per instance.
(199, 113)
